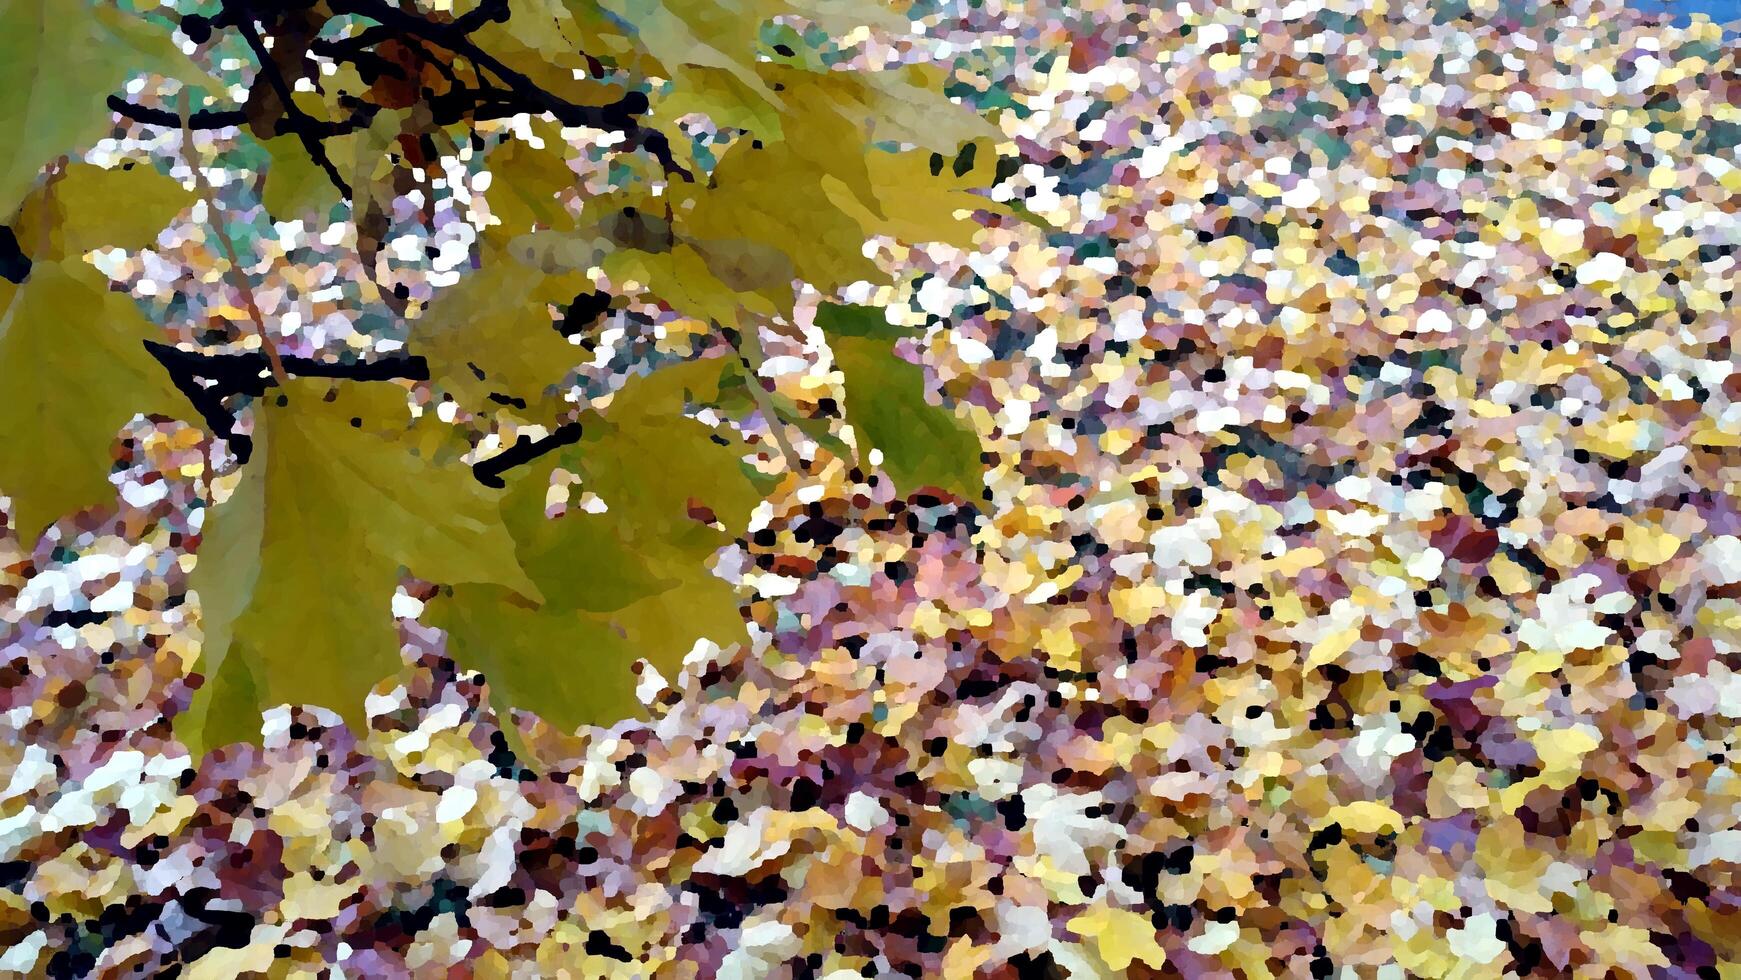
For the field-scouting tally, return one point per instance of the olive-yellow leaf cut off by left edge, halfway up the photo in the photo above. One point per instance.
(76, 372)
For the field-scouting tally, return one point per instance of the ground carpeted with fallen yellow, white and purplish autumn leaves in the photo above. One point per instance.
(1355, 586)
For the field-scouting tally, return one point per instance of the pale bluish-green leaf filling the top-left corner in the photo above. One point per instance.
(60, 60)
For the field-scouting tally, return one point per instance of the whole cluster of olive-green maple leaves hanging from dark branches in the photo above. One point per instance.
(716, 158)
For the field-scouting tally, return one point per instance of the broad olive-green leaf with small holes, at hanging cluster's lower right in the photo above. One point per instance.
(621, 586)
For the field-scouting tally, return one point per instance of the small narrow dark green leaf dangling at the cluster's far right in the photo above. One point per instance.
(924, 445)
